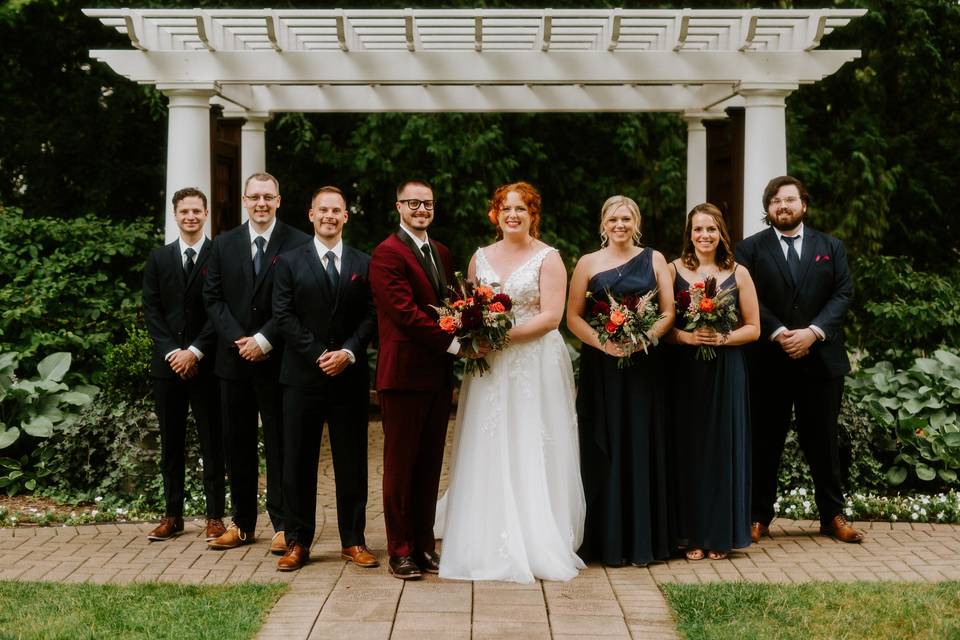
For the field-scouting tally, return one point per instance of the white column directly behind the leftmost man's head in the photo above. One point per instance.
(188, 147)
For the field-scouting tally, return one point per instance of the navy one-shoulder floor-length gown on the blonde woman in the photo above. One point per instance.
(621, 414)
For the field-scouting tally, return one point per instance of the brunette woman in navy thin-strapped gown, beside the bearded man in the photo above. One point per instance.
(710, 419)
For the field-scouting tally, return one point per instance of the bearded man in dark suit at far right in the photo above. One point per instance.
(798, 365)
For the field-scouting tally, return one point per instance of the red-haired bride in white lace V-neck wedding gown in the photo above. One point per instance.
(514, 505)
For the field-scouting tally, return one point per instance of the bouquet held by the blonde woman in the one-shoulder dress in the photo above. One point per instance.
(626, 321)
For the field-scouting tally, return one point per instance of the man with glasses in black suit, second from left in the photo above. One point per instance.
(239, 298)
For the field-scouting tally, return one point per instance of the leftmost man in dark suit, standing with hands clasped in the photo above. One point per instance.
(182, 364)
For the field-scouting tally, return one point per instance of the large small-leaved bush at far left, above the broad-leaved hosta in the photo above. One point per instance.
(69, 284)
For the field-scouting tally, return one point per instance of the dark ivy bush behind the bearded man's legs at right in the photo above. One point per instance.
(862, 452)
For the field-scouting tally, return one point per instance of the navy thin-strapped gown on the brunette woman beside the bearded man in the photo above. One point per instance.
(710, 434)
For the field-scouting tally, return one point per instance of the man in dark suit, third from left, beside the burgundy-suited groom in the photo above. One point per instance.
(323, 308)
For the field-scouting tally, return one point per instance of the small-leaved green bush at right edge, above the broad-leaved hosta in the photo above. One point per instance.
(898, 313)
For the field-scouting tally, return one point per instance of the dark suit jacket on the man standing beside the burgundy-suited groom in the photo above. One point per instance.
(312, 317)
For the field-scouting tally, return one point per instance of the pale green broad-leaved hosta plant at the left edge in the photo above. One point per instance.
(32, 410)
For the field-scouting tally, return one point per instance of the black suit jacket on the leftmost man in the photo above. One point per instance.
(174, 309)
